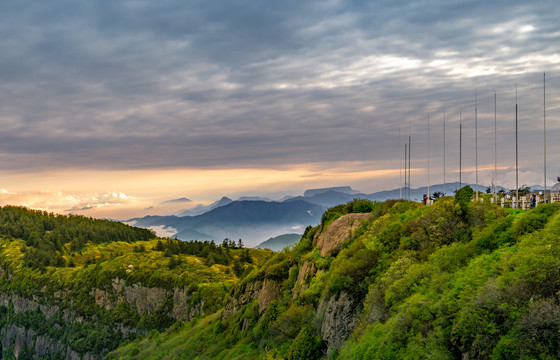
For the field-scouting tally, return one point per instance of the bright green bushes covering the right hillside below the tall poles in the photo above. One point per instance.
(465, 300)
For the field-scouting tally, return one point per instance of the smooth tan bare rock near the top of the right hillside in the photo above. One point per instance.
(342, 229)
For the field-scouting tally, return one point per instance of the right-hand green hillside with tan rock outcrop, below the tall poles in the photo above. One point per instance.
(390, 280)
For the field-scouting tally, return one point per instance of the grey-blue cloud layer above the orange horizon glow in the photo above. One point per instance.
(138, 84)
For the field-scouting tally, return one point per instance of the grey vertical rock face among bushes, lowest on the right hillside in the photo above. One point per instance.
(338, 320)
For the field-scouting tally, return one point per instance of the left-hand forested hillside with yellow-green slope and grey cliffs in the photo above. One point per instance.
(76, 287)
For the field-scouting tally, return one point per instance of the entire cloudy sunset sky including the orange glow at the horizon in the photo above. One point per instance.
(117, 108)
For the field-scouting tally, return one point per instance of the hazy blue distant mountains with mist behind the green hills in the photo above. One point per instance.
(255, 219)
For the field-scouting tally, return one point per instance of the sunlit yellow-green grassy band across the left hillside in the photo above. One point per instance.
(112, 260)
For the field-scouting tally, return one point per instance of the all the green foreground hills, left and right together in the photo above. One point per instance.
(386, 280)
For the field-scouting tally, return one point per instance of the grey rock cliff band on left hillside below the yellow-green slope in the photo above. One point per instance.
(146, 300)
